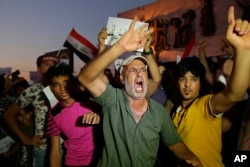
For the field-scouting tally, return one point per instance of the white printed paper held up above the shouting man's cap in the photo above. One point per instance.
(116, 27)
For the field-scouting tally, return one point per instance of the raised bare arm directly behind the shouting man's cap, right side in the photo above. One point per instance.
(155, 79)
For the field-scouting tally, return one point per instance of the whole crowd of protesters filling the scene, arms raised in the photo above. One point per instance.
(146, 114)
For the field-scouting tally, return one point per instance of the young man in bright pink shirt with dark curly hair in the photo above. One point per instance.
(71, 119)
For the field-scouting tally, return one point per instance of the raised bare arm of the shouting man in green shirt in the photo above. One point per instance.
(132, 40)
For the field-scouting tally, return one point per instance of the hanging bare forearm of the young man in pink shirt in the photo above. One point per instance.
(55, 151)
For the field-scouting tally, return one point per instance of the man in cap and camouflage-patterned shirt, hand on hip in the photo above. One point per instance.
(33, 95)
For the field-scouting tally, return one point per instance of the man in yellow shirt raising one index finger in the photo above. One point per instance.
(198, 118)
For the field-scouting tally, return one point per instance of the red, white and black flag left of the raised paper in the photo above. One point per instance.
(84, 49)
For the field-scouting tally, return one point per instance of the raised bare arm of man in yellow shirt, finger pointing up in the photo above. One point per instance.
(238, 34)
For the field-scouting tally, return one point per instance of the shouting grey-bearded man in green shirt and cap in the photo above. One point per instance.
(132, 122)
